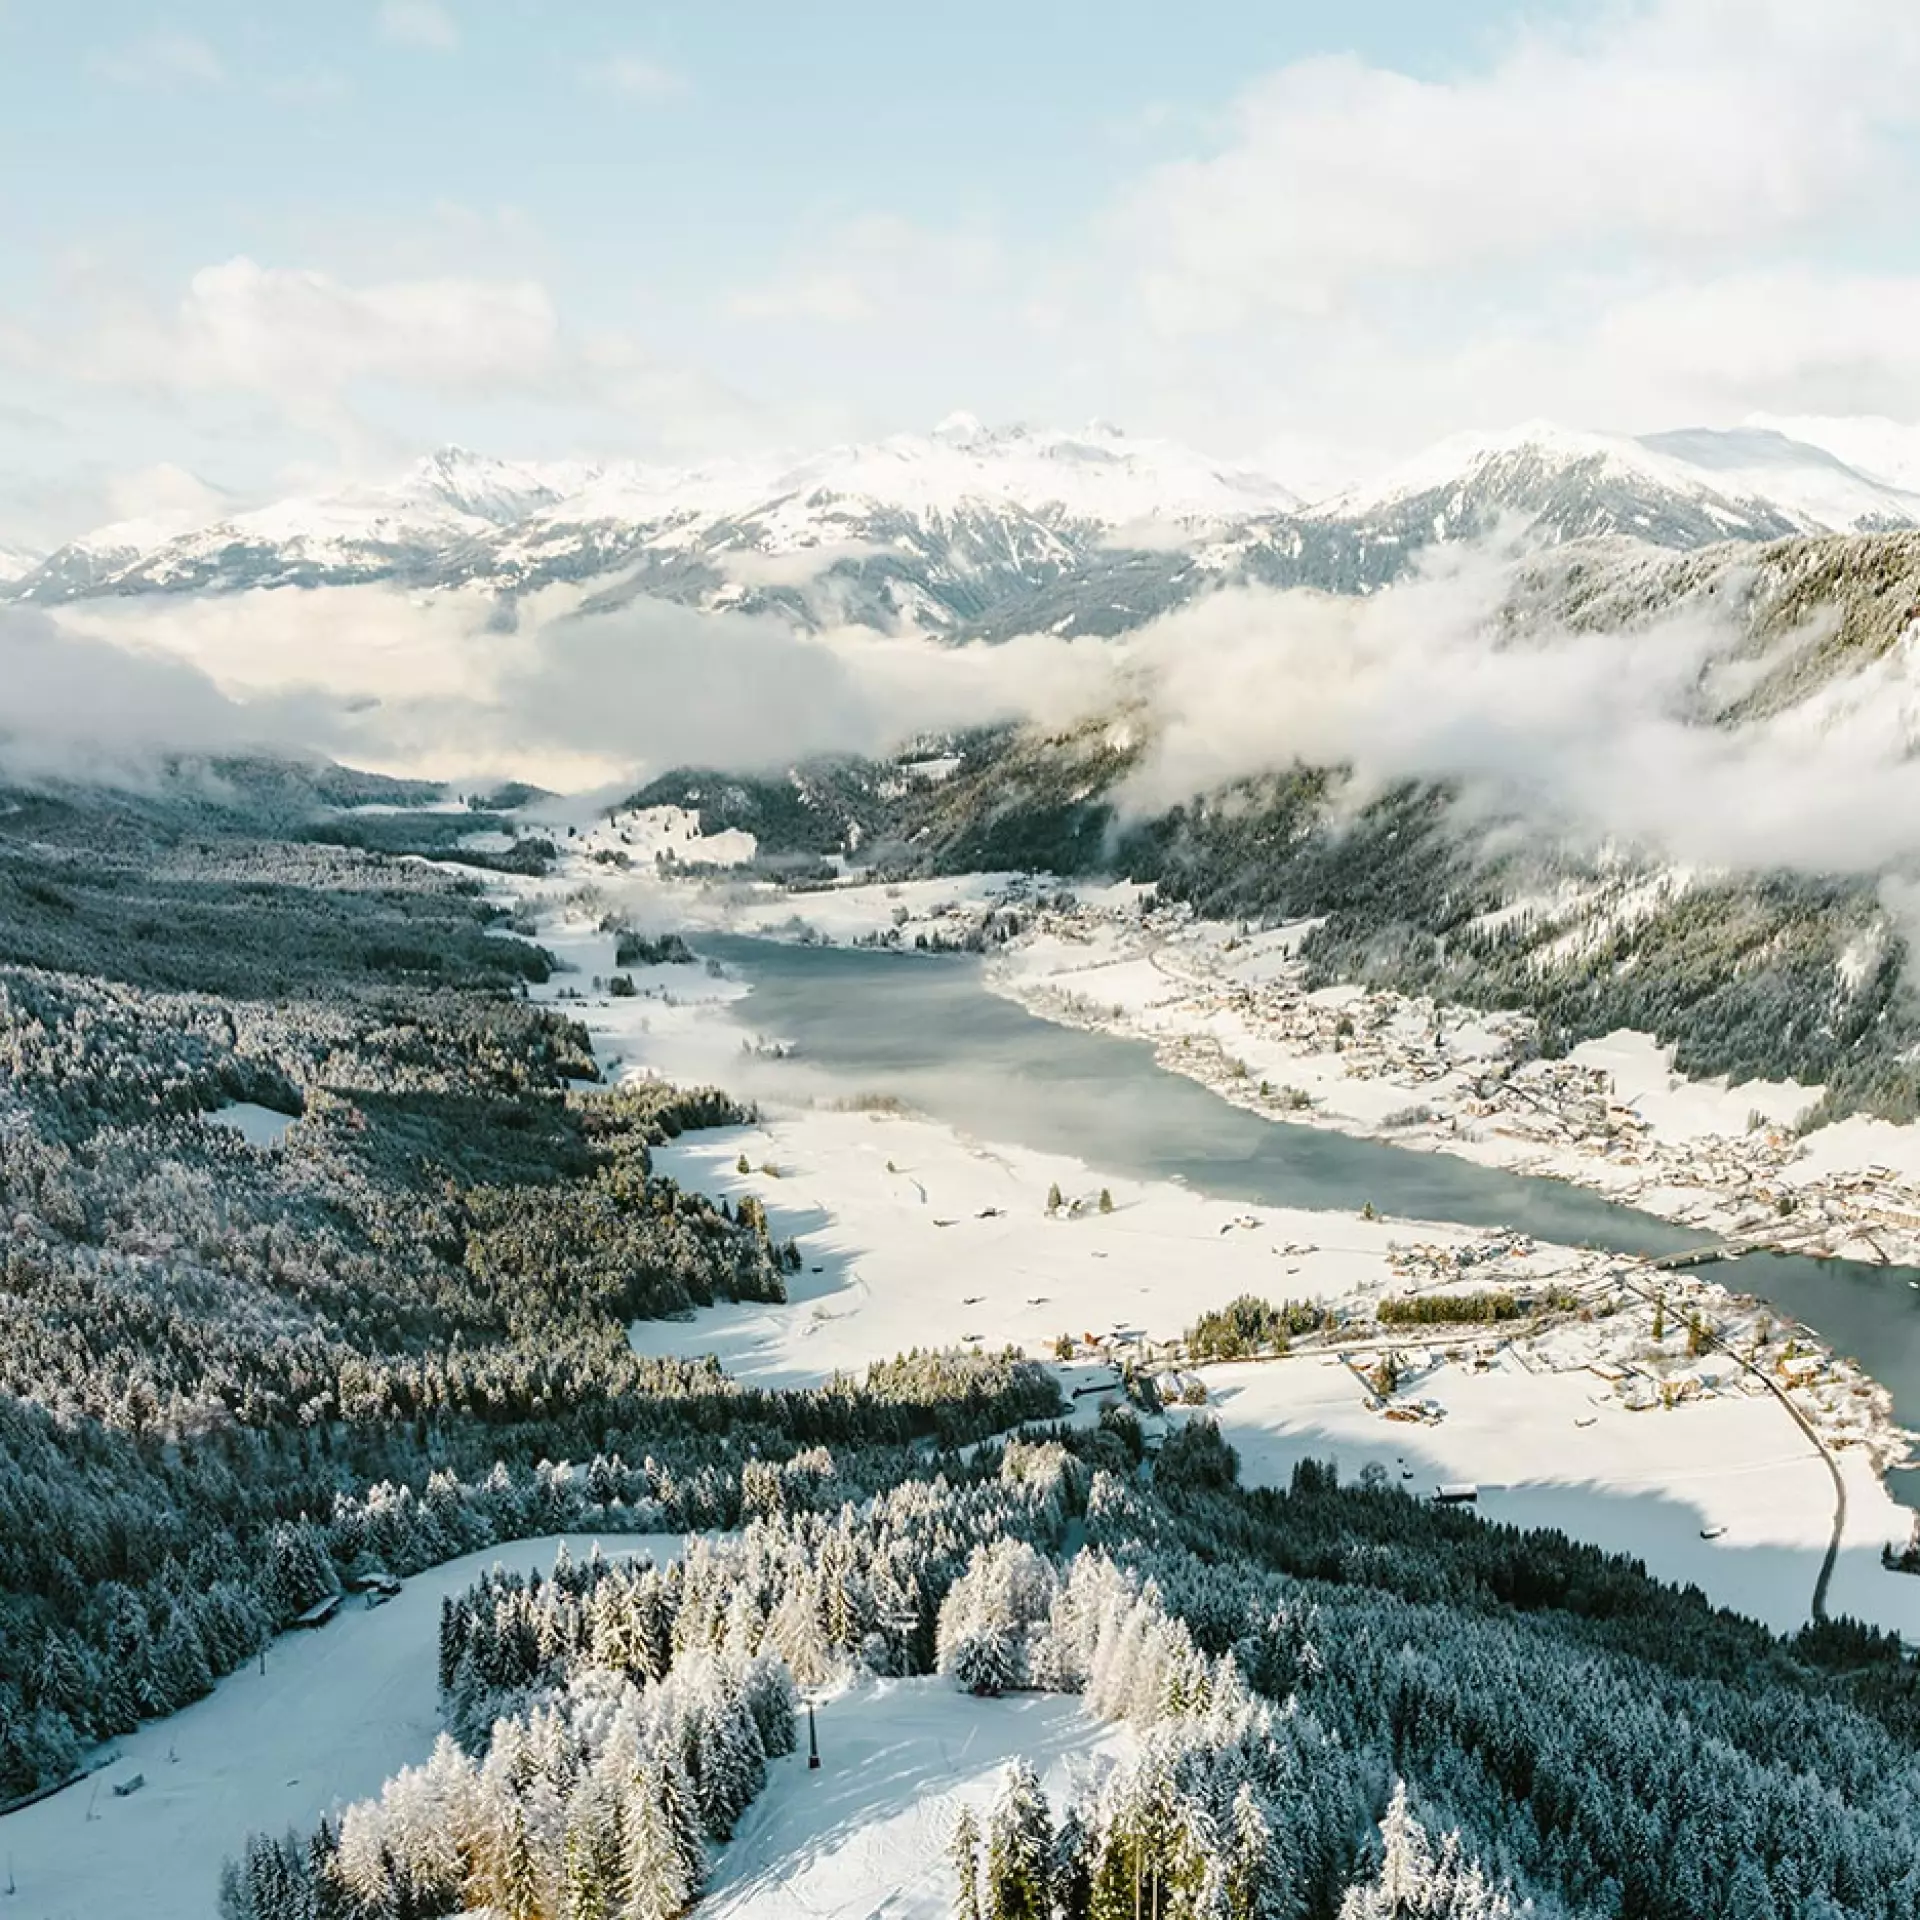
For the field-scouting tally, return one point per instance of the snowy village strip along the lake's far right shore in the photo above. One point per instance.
(1236, 1011)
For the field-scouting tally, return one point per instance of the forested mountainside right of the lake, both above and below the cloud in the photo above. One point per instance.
(1476, 900)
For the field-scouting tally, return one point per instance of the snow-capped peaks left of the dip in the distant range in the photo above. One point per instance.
(926, 531)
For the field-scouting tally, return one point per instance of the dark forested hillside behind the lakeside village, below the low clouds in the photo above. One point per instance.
(1775, 974)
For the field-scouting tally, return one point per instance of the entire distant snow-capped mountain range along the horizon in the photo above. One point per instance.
(974, 533)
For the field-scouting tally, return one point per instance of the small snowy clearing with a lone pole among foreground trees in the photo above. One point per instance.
(867, 1835)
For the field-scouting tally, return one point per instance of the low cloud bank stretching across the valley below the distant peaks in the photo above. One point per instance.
(1598, 736)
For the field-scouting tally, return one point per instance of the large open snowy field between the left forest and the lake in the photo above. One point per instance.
(923, 1237)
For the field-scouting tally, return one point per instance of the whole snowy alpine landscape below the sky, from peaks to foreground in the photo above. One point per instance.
(1218, 1188)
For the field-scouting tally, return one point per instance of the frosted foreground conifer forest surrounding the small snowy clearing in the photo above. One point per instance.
(1343, 1704)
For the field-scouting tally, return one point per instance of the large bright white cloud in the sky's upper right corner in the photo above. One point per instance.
(1671, 130)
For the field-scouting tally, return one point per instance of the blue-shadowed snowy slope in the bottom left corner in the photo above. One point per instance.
(335, 1714)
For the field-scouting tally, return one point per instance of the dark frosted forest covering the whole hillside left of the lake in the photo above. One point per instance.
(226, 1370)
